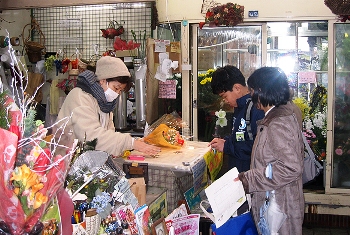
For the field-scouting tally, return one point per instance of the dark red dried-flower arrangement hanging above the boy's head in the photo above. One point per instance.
(229, 14)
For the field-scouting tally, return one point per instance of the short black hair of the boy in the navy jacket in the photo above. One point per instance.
(224, 78)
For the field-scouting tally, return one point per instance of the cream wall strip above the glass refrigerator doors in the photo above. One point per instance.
(269, 10)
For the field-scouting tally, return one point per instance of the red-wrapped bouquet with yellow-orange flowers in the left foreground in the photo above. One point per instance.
(31, 174)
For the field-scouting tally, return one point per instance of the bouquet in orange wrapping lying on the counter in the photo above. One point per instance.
(165, 132)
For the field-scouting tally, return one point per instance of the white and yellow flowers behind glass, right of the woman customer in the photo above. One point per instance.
(315, 120)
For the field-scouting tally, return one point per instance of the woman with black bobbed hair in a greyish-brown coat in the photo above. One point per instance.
(280, 143)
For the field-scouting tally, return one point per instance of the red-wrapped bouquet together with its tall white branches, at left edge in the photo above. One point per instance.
(33, 164)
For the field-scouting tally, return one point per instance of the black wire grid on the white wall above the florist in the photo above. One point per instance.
(70, 28)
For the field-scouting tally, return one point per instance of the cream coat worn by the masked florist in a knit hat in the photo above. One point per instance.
(87, 118)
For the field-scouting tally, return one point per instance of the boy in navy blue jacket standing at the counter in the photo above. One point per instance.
(230, 84)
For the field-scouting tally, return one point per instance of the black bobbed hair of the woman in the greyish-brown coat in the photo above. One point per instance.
(270, 86)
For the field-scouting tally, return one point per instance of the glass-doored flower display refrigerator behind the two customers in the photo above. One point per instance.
(313, 54)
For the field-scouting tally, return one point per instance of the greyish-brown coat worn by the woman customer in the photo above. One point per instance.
(278, 142)
